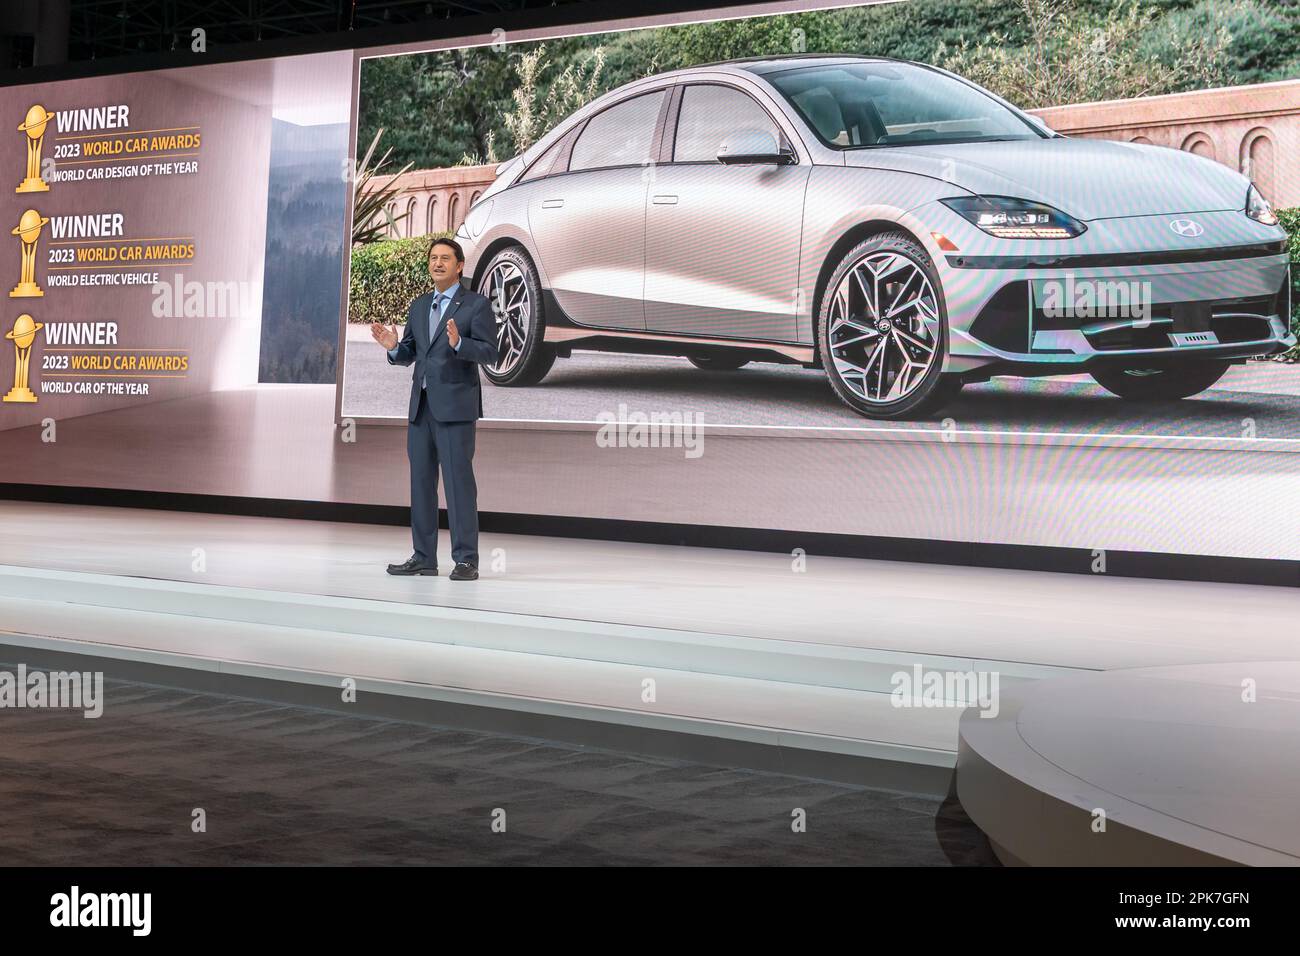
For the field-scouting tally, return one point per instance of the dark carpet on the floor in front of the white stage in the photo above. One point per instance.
(291, 785)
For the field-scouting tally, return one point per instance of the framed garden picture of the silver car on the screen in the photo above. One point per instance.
(907, 243)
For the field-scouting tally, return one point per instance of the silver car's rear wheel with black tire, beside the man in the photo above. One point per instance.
(535, 357)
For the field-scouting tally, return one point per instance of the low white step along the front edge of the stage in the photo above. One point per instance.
(787, 694)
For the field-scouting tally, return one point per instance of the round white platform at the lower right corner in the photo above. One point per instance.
(1185, 767)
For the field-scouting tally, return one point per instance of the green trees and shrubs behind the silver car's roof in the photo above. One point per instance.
(483, 103)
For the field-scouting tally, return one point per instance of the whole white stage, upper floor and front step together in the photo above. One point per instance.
(739, 646)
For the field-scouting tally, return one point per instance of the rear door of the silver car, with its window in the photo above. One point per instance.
(588, 219)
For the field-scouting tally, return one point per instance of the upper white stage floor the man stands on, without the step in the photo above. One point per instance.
(1052, 620)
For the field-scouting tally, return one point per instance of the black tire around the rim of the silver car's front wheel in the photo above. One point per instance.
(935, 388)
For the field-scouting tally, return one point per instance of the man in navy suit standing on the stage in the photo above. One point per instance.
(449, 334)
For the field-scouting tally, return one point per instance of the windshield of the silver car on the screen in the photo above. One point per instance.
(876, 105)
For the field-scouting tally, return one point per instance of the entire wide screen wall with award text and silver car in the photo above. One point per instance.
(913, 270)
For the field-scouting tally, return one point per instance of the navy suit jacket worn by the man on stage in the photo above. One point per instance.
(453, 374)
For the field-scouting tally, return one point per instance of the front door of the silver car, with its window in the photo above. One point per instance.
(723, 241)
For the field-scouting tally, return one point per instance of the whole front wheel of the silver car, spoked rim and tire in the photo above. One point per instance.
(883, 331)
